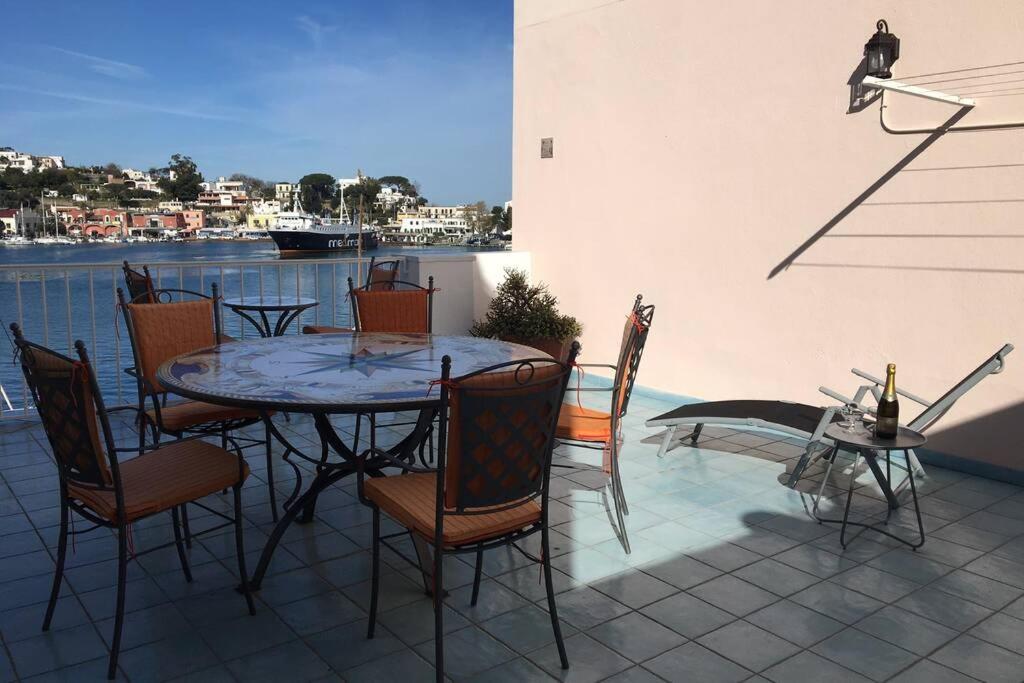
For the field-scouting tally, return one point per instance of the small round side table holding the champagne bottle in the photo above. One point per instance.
(866, 445)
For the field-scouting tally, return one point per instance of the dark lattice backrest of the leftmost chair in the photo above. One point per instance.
(71, 410)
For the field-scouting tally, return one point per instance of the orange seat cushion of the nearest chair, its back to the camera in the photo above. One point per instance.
(412, 501)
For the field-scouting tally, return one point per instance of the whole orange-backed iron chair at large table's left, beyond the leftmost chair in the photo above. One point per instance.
(162, 330)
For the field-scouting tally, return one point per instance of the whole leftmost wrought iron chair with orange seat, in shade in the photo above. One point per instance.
(114, 494)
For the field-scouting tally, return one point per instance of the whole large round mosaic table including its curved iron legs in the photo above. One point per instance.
(332, 374)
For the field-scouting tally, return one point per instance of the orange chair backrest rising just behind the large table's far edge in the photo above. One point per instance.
(405, 308)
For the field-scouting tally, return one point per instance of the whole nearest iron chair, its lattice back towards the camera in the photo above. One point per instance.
(497, 434)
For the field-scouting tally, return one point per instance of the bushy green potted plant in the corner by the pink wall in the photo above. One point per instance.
(528, 315)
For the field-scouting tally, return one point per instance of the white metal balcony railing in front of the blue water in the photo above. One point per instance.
(57, 305)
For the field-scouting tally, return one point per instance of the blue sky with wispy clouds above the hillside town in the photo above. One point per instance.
(421, 89)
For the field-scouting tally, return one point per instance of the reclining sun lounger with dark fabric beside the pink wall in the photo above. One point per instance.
(809, 422)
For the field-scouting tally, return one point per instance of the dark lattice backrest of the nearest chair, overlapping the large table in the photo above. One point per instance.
(498, 432)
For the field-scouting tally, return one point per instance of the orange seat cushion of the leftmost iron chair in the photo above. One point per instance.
(161, 480)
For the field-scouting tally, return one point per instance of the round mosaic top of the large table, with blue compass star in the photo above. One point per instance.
(332, 373)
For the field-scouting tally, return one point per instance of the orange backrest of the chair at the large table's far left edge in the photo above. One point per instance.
(161, 331)
